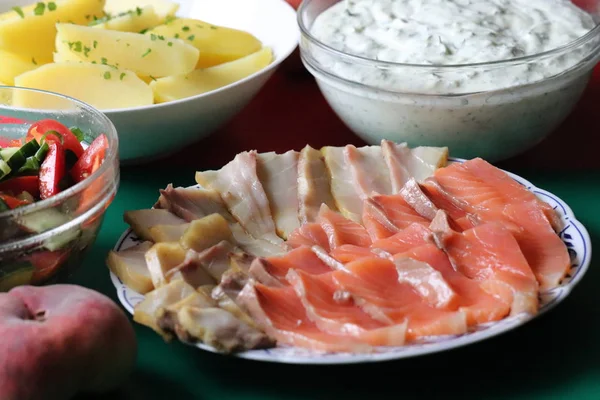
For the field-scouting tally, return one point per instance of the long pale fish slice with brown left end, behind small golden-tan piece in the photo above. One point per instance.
(193, 203)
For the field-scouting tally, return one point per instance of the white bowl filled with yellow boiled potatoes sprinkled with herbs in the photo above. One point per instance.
(167, 73)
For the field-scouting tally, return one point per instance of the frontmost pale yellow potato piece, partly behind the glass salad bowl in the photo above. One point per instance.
(101, 86)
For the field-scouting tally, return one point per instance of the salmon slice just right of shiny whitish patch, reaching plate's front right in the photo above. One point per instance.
(479, 306)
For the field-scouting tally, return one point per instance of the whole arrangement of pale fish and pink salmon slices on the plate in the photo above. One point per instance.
(342, 249)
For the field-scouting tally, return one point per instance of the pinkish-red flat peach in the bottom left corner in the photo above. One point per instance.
(83, 342)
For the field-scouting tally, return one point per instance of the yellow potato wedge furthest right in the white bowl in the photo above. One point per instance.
(217, 44)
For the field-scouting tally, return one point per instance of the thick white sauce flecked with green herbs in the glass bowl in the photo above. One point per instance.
(451, 32)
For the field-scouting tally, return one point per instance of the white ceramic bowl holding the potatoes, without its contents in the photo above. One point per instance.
(154, 131)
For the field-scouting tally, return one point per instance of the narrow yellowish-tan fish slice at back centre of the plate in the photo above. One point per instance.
(313, 185)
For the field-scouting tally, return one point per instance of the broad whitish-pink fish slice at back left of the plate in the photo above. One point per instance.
(242, 192)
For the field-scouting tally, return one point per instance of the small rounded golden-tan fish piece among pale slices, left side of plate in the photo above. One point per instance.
(205, 232)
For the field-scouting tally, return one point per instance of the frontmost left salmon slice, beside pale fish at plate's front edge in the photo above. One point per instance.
(280, 313)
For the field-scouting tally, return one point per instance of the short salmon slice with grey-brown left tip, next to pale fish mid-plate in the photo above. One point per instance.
(265, 270)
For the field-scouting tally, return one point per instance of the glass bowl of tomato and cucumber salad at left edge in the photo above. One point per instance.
(50, 225)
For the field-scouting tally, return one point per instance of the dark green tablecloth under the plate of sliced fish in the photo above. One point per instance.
(554, 357)
